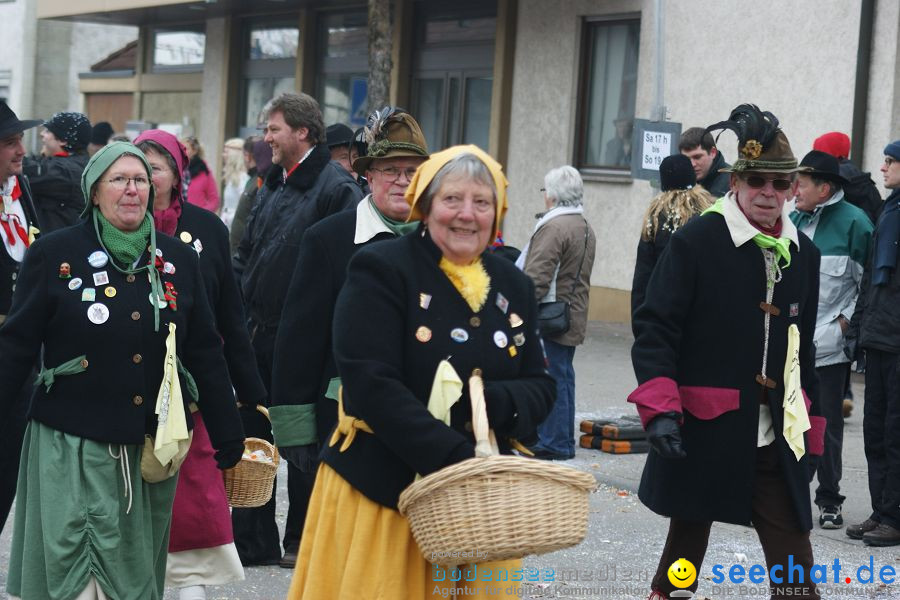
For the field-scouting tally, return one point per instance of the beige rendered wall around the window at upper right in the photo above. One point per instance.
(796, 59)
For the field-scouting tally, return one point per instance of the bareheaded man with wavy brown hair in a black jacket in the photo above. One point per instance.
(303, 187)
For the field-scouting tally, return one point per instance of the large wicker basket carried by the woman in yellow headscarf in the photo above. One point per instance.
(496, 507)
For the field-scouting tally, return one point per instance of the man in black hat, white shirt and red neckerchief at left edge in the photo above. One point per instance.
(19, 222)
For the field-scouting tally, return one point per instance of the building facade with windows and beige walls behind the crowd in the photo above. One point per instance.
(538, 83)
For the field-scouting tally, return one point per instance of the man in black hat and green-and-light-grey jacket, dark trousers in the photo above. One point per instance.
(843, 234)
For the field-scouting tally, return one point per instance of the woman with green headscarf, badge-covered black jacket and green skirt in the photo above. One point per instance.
(118, 318)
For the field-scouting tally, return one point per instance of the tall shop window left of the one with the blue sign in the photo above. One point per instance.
(269, 66)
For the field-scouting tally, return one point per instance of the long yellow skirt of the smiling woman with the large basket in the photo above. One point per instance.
(355, 548)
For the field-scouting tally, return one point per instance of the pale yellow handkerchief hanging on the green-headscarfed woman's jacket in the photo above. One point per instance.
(171, 430)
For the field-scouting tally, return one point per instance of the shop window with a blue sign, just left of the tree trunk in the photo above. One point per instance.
(342, 74)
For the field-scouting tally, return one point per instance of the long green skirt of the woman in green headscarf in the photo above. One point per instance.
(73, 520)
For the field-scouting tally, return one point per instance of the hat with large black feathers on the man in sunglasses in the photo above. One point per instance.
(762, 146)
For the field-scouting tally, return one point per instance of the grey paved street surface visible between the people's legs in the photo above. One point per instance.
(624, 540)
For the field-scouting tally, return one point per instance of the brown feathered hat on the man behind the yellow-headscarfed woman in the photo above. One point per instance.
(391, 132)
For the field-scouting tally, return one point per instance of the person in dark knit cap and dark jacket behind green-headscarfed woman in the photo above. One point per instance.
(55, 175)
